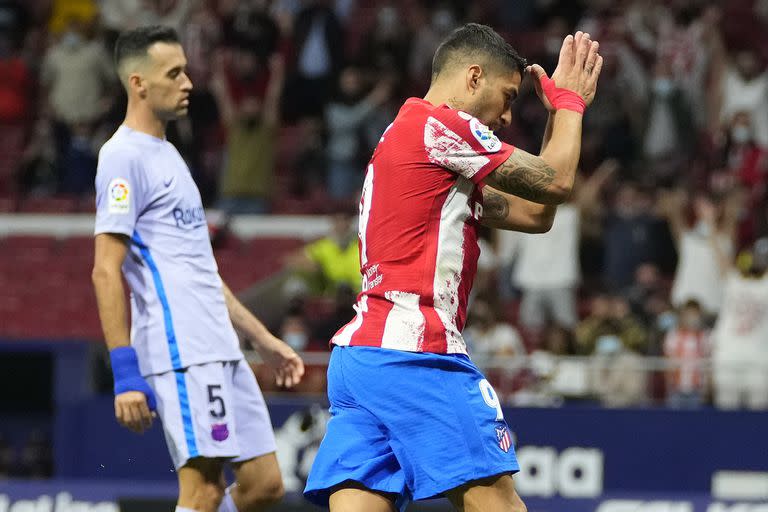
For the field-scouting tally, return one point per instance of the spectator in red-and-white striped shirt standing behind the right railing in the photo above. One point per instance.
(687, 348)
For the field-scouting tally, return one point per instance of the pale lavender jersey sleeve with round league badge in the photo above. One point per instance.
(120, 192)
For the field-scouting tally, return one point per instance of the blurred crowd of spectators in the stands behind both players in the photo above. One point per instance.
(661, 252)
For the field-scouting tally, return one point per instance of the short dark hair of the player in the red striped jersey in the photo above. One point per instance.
(476, 39)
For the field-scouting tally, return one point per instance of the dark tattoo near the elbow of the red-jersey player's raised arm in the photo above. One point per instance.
(524, 175)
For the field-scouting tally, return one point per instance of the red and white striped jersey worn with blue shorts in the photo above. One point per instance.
(419, 216)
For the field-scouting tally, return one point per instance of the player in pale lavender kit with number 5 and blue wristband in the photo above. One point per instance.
(180, 356)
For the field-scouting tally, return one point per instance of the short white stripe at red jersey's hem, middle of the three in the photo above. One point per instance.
(405, 325)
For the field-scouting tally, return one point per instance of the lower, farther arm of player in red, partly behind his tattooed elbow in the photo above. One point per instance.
(505, 211)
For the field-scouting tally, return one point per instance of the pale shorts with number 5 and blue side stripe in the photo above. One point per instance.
(213, 410)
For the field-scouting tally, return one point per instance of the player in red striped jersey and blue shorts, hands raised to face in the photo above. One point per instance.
(411, 416)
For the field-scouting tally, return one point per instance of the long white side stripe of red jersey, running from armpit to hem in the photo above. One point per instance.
(450, 260)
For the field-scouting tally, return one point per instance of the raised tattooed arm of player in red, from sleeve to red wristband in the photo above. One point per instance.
(547, 178)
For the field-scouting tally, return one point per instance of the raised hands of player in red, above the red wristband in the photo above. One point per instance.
(578, 69)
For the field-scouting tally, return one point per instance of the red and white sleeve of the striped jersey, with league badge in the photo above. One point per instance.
(462, 144)
